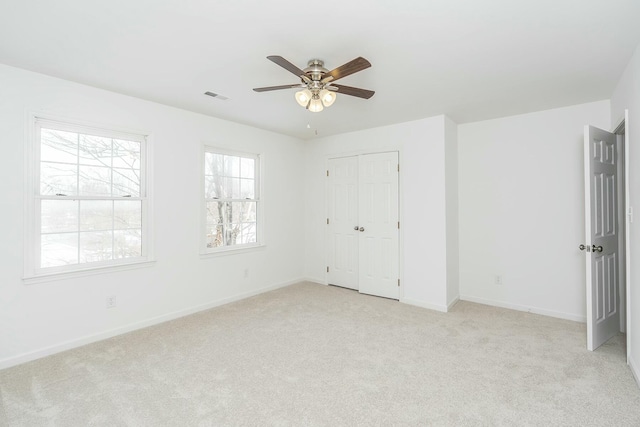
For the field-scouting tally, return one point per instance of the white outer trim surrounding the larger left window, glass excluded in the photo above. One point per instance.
(32, 272)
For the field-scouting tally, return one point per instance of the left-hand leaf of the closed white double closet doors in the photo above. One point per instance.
(343, 221)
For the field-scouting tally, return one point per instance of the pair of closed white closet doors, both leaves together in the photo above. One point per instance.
(363, 223)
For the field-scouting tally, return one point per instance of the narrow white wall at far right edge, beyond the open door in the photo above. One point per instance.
(627, 96)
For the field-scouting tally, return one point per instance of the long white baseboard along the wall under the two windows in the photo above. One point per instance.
(79, 342)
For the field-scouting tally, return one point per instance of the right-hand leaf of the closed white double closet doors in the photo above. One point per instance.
(378, 224)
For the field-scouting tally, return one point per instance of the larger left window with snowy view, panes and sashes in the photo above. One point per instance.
(89, 201)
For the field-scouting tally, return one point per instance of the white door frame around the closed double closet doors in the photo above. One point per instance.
(400, 210)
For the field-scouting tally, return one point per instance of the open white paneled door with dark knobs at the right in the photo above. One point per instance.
(602, 234)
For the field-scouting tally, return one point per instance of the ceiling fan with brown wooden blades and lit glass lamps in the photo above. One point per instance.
(317, 83)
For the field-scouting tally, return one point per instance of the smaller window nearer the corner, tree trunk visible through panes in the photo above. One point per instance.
(231, 200)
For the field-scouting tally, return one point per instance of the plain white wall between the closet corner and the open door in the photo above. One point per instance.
(522, 209)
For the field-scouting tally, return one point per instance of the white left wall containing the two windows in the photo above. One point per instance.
(38, 319)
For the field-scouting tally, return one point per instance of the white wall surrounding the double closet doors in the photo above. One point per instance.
(421, 145)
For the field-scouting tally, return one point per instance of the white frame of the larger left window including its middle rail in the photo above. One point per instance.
(33, 272)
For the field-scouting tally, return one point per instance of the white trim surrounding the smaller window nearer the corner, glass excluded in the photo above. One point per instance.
(206, 252)
